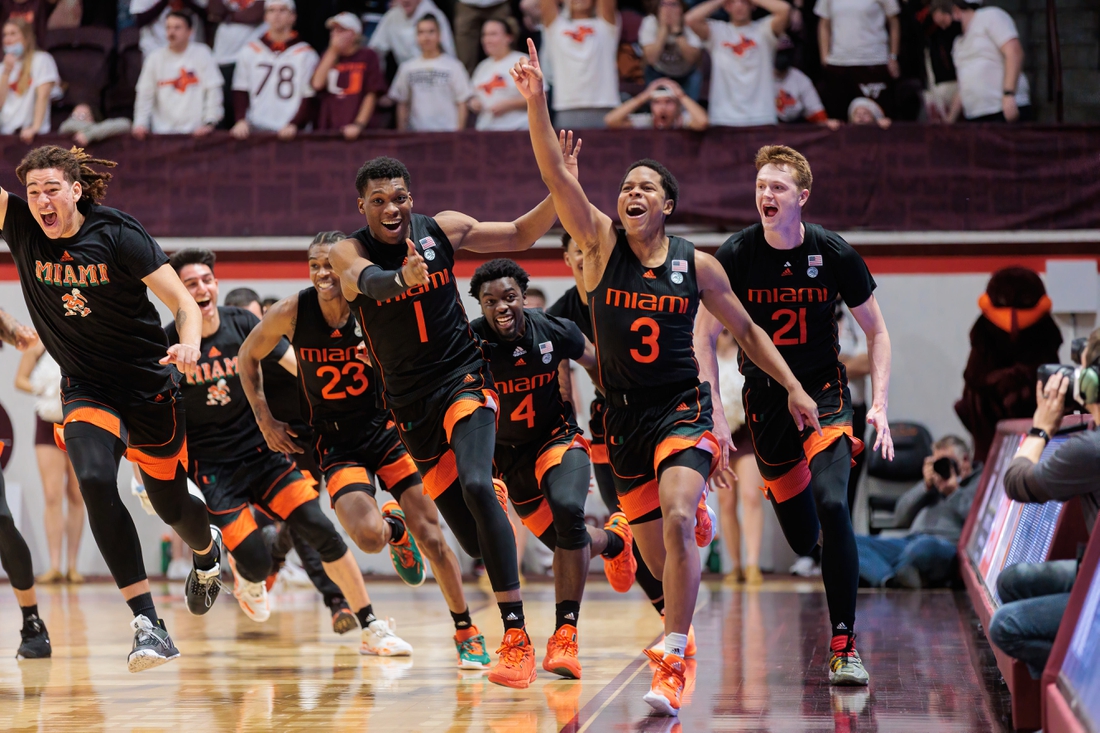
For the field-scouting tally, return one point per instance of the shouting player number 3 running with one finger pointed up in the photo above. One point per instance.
(644, 290)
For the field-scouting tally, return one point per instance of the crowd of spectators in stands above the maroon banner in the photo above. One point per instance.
(93, 70)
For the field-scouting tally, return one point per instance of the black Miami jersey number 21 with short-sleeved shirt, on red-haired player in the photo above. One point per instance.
(791, 294)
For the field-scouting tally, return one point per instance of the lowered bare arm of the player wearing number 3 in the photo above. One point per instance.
(728, 309)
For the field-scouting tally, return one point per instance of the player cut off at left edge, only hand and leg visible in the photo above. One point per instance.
(15, 554)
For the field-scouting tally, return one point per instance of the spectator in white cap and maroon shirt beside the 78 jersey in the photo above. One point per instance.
(349, 79)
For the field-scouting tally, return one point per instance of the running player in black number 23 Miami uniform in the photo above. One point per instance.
(355, 440)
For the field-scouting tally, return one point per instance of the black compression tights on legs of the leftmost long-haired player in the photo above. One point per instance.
(95, 455)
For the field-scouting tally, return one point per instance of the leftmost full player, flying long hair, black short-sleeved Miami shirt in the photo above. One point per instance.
(86, 271)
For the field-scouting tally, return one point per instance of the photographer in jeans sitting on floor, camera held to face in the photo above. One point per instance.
(932, 513)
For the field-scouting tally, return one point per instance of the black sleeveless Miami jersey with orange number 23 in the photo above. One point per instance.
(337, 385)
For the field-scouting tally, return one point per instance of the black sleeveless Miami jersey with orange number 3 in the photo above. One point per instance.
(643, 319)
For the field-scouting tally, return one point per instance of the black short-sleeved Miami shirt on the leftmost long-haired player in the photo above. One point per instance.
(89, 302)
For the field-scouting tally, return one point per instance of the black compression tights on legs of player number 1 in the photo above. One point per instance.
(471, 509)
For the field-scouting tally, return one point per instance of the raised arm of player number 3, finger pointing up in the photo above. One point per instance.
(586, 224)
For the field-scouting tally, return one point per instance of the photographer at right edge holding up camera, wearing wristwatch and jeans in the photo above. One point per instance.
(1035, 596)
